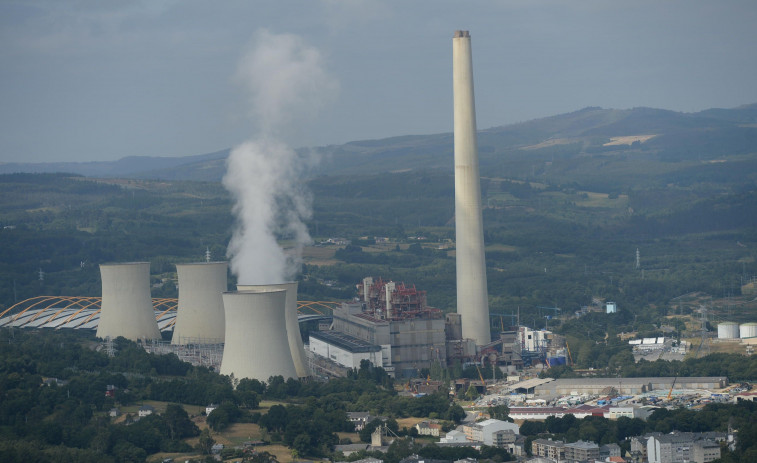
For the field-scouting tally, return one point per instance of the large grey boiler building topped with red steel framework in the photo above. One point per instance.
(395, 318)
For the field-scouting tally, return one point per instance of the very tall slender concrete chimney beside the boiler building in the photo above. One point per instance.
(472, 295)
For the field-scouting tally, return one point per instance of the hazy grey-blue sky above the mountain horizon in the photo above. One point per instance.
(101, 79)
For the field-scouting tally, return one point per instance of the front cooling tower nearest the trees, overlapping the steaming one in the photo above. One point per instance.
(256, 343)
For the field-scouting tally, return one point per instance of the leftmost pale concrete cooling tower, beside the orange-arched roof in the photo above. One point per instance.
(126, 304)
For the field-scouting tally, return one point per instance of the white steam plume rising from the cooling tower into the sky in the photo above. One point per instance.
(287, 84)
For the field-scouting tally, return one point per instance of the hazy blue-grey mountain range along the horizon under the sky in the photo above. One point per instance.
(582, 146)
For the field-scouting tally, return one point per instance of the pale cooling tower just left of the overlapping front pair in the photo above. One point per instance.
(200, 316)
